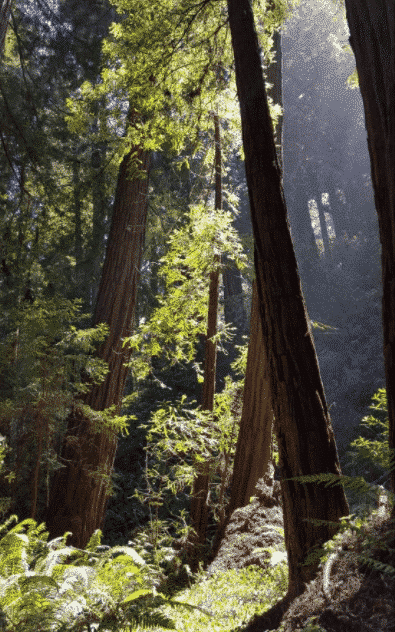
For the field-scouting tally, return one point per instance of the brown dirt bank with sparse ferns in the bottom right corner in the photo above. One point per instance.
(348, 595)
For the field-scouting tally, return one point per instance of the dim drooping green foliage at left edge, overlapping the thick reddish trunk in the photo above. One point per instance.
(47, 363)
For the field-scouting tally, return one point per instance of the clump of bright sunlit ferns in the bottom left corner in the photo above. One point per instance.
(48, 586)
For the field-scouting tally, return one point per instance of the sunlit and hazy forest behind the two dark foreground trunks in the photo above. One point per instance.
(127, 266)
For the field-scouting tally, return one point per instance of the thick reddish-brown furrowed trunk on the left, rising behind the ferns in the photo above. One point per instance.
(80, 489)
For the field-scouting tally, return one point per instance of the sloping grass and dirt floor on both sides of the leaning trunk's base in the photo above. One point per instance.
(243, 587)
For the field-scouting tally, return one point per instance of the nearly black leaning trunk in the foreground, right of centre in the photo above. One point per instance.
(303, 427)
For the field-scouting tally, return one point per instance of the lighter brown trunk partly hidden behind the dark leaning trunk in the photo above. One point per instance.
(253, 449)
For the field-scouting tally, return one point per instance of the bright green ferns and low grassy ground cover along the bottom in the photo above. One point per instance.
(51, 587)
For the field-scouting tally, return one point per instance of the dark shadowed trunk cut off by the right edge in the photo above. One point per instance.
(372, 28)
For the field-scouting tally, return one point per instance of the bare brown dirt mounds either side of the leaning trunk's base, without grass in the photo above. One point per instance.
(347, 595)
